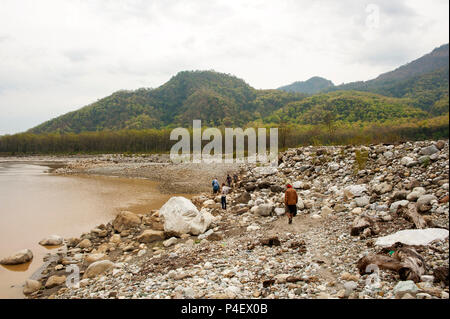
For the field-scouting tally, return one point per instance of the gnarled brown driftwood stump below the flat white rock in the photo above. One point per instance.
(405, 261)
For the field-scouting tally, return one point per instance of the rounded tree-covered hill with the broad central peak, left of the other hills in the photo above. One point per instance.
(215, 98)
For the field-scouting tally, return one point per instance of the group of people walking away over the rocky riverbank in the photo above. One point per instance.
(290, 196)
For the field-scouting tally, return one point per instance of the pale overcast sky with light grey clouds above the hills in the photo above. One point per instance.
(59, 55)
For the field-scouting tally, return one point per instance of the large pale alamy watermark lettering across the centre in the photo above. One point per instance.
(213, 151)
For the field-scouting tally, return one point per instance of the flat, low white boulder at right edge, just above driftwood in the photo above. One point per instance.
(413, 237)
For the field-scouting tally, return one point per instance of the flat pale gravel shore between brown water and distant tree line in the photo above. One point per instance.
(188, 178)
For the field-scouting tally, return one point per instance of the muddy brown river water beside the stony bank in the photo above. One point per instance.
(35, 204)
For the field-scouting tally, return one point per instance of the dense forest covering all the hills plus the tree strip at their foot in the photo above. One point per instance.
(411, 102)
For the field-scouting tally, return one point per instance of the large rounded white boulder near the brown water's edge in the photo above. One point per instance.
(182, 217)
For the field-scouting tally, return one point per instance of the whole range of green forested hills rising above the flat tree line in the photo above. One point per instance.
(416, 90)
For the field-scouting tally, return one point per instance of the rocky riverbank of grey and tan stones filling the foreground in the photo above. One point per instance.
(350, 198)
